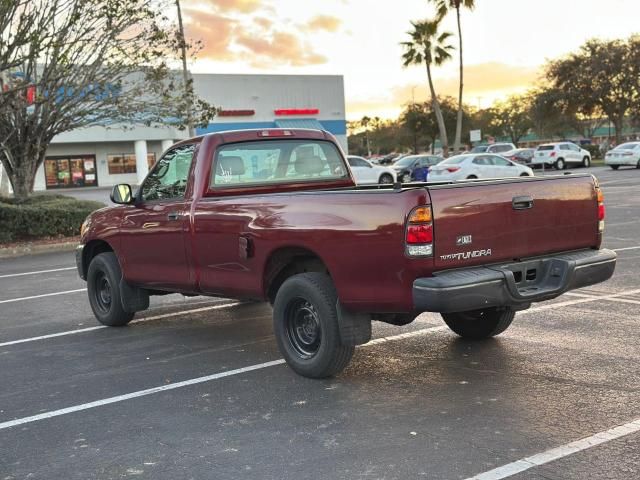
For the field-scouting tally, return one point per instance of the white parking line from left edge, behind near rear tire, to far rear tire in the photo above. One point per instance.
(185, 383)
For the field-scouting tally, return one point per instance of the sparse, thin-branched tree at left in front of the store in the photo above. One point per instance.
(89, 62)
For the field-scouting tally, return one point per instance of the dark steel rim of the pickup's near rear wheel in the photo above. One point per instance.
(303, 328)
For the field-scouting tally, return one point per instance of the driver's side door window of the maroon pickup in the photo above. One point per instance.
(168, 179)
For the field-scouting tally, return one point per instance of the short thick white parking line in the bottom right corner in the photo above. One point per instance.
(562, 451)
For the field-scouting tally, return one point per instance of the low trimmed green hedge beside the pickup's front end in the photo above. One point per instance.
(43, 216)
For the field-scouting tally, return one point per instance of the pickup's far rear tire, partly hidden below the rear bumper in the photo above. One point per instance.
(478, 324)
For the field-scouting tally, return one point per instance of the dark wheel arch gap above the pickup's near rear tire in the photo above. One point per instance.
(287, 261)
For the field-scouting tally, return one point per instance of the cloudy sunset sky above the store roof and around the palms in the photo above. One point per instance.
(506, 43)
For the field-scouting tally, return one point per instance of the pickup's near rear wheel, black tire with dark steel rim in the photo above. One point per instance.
(305, 322)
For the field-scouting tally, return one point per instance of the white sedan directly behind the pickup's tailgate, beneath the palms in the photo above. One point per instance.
(470, 166)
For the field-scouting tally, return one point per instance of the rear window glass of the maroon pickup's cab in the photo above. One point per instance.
(276, 161)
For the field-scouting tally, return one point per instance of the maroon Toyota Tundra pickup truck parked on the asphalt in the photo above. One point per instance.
(275, 215)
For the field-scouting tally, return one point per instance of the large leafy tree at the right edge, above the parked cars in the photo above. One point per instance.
(601, 76)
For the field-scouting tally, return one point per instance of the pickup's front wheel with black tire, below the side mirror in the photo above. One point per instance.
(103, 286)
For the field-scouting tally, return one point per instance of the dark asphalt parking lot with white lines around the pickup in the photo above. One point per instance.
(196, 388)
